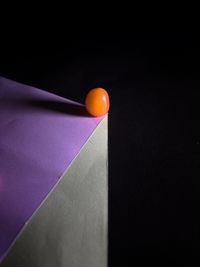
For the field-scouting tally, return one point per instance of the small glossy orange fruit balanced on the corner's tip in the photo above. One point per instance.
(97, 102)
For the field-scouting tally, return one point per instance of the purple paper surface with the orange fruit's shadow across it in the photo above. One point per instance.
(40, 135)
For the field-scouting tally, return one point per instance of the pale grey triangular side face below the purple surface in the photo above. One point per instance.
(70, 228)
